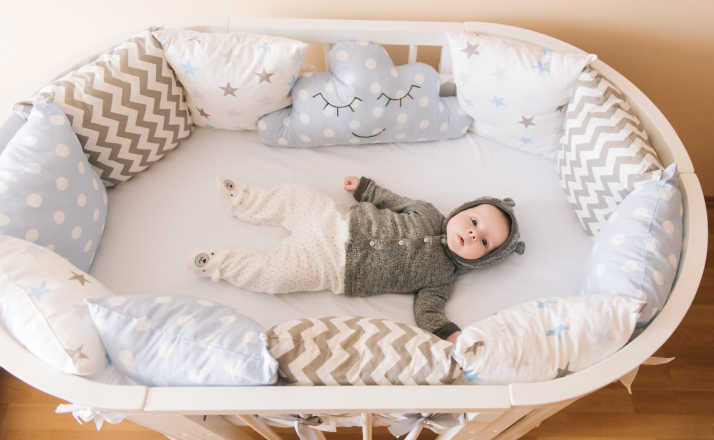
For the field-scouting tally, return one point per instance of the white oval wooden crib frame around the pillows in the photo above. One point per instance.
(506, 411)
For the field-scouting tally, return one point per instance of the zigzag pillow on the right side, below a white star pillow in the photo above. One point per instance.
(605, 152)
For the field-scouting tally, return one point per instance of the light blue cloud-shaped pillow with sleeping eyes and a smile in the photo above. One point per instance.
(365, 99)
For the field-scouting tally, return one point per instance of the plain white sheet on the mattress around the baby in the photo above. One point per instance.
(160, 218)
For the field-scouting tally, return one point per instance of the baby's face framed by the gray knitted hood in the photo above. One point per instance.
(476, 231)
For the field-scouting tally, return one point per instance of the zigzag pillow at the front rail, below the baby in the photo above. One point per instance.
(360, 351)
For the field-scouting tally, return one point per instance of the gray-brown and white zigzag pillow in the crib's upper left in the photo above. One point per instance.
(126, 108)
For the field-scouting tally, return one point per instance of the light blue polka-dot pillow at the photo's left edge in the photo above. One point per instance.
(48, 192)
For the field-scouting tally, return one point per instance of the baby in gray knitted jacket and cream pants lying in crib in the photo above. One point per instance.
(387, 243)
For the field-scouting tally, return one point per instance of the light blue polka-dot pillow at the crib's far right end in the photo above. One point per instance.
(637, 252)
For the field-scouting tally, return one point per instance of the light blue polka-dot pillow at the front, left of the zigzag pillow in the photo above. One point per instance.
(181, 340)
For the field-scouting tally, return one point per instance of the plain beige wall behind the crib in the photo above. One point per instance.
(666, 48)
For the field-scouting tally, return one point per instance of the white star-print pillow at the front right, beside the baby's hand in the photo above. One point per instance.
(545, 339)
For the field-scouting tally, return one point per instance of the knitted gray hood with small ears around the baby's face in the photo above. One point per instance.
(512, 243)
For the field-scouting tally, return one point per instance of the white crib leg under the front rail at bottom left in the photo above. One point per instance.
(178, 427)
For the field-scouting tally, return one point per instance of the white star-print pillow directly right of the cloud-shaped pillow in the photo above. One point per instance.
(516, 92)
